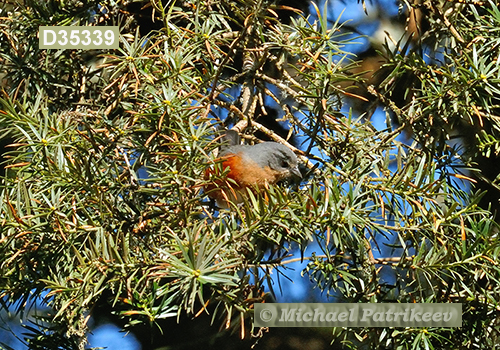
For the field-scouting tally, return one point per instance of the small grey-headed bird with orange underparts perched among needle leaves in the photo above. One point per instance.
(249, 166)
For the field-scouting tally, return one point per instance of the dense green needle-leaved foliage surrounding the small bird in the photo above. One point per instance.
(102, 199)
